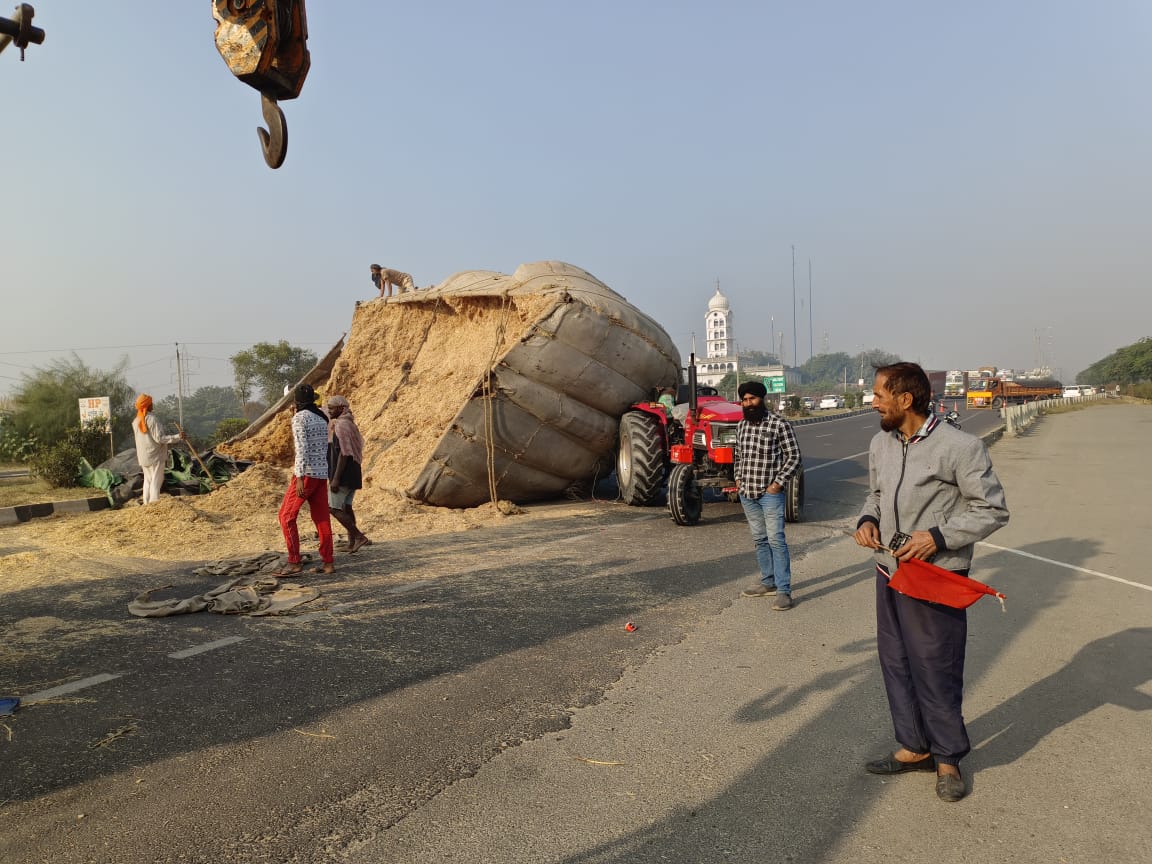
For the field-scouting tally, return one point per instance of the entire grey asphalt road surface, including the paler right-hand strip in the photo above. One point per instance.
(465, 696)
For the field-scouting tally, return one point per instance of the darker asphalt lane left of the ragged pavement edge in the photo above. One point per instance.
(431, 657)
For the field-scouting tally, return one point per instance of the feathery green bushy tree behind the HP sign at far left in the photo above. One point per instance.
(47, 404)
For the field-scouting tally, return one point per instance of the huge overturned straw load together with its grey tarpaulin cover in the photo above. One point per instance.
(488, 386)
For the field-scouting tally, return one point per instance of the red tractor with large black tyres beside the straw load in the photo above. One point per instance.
(699, 448)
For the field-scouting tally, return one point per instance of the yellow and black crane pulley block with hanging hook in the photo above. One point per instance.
(266, 46)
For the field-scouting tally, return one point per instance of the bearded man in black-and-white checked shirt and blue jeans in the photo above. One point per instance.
(767, 458)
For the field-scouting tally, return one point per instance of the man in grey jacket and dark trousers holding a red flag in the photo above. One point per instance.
(933, 495)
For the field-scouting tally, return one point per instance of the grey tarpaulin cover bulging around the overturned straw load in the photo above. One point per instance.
(558, 392)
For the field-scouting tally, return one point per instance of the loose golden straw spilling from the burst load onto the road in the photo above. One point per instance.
(407, 369)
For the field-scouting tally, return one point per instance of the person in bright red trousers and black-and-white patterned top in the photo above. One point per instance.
(309, 482)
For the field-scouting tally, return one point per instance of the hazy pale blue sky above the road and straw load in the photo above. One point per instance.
(967, 184)
